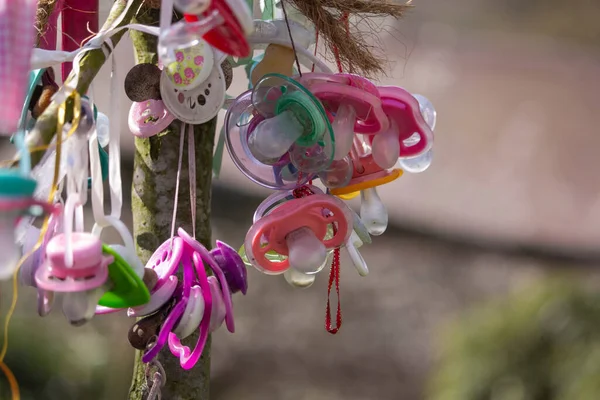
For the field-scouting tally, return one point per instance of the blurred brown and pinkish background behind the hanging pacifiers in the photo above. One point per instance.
(511, 199)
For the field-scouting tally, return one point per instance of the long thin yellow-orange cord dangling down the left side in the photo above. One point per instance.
(14, 386)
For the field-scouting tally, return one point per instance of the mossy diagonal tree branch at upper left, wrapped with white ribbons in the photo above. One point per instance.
(91, 62)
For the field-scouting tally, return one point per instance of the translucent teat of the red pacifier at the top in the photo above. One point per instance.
(184, 34)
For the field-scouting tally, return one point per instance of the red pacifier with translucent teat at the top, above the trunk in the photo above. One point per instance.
(224, 24)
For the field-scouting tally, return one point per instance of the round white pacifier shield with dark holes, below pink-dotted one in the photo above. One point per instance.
(198, 105)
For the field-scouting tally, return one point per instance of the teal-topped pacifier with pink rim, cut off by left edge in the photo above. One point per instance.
(16, 200)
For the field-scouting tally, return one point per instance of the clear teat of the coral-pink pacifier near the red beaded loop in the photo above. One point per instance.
(307, 253)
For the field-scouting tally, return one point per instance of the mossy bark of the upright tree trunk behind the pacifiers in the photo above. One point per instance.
(153, 191)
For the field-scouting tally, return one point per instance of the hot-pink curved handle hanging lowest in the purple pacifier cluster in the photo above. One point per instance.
(187, 358)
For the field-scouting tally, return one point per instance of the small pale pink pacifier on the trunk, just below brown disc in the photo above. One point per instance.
(148, 118)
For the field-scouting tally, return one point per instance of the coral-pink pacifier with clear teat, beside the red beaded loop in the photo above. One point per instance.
(298, 229)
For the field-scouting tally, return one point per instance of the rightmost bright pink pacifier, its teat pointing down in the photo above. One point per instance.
(408, 136)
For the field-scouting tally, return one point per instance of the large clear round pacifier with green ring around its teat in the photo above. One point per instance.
(278, 134)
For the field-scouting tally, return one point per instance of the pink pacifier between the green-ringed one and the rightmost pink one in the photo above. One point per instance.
(352, 102)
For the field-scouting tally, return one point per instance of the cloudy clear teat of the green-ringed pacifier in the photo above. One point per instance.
(273, 137)
